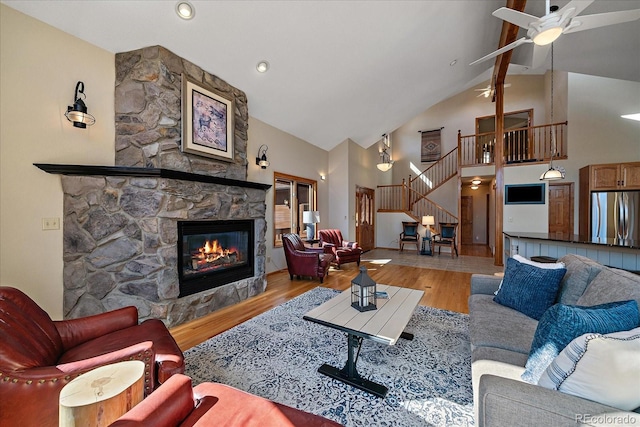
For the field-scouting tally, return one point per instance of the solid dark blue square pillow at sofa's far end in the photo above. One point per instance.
(530, 290)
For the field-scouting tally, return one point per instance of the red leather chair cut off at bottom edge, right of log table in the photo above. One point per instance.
(175, 403)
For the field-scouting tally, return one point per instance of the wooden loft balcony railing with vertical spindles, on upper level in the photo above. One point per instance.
(530, 144)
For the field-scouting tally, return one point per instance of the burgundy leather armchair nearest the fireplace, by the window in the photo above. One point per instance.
(303, 261)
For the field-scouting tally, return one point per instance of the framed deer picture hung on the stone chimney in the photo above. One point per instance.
(207, 122)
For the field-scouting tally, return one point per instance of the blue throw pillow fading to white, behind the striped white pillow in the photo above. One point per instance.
(561, 324)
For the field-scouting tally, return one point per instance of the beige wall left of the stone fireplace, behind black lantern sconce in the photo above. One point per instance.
(39, 70)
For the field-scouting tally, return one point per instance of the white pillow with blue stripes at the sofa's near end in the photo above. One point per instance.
(602, 368)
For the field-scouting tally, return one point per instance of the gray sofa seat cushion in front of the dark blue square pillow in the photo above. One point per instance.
(494, 325)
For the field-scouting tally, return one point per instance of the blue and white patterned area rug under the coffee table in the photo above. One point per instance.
(276, 355)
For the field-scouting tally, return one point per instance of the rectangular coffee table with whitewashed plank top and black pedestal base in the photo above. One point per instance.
(385, 325)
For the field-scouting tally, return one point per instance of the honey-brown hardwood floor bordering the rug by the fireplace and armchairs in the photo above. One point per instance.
(447, 290)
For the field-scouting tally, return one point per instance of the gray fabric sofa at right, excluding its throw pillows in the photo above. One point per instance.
(501, 339)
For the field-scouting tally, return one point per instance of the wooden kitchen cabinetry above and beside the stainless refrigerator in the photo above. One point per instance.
(607, 177)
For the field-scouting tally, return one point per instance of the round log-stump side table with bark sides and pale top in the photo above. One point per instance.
(101, 396)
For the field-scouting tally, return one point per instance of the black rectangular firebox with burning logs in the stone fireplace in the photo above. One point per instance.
(214, 253)
